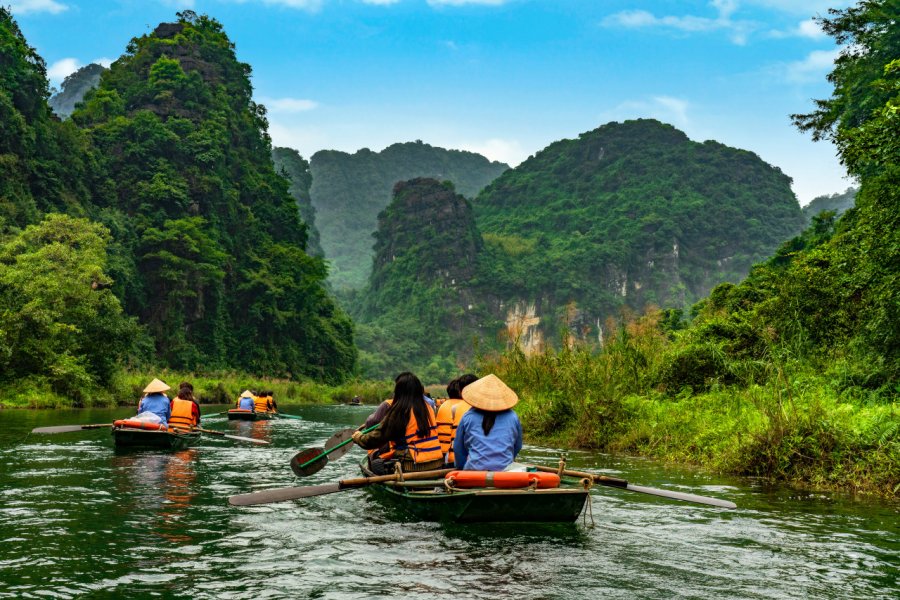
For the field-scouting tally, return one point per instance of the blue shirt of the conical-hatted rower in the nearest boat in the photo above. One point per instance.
(494, 452)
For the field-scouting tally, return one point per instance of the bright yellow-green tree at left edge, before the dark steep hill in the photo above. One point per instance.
(62, 329)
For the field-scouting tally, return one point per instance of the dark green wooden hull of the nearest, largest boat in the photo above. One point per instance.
(431, 501)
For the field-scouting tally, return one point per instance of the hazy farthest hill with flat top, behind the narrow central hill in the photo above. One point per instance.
(349, 190)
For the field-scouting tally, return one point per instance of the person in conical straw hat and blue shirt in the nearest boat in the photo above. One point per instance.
(489, 435)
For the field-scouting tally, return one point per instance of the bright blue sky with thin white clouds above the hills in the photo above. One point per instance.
(501, 77)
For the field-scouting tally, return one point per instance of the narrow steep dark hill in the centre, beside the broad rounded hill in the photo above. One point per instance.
(418, 311)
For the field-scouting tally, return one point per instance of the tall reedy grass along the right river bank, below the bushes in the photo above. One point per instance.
(799, 424)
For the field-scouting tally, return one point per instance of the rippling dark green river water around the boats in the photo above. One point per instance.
(79, 519)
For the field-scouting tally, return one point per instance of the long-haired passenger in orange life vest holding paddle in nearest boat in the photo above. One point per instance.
(408, 432)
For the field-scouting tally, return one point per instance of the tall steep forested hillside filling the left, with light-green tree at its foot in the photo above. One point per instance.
(179, 246)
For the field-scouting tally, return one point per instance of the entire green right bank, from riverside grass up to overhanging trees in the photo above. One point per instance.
(793, 373)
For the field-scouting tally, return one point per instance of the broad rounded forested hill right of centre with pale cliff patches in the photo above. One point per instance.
(629, 214)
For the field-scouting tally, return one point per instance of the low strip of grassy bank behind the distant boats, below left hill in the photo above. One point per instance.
(210, 388)
